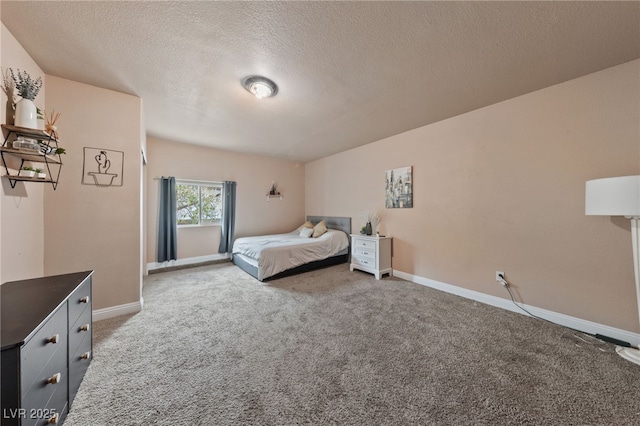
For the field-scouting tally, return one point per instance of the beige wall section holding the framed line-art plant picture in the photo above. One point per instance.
(90, 227)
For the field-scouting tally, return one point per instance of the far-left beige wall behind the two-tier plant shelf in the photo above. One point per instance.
(21, 208)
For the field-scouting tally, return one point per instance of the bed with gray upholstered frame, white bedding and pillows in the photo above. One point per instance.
(269, 257)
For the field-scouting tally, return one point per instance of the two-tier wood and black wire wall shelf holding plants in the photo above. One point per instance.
(52, 162)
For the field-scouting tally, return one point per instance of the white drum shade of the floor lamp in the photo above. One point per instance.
(616, 196)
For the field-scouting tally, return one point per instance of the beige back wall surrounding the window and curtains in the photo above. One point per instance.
(253, 174)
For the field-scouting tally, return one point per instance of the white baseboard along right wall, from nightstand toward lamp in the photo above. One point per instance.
(555, 317)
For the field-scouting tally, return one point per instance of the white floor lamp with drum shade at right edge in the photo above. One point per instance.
(619, 196)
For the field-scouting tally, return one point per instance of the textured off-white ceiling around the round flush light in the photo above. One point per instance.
(349, 73)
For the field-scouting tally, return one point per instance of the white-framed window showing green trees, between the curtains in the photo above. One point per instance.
(198, 203)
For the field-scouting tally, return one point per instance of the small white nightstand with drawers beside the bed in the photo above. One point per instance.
(372, 254)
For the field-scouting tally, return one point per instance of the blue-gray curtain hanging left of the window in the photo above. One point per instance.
(167, 227)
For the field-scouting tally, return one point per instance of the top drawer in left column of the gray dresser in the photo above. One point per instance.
(40, 349)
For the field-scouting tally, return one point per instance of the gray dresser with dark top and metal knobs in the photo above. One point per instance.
(46, 346)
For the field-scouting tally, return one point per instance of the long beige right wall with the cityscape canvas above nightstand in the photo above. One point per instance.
(502, 188)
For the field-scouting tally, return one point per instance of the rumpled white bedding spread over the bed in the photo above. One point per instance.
(280, 252)
